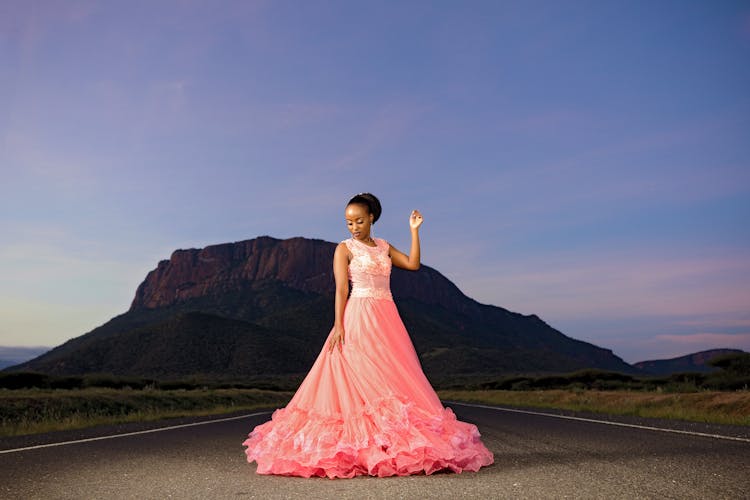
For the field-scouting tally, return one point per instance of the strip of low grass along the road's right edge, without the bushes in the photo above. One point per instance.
(718, 407)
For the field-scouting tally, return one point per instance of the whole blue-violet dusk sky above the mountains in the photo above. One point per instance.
(585, 161)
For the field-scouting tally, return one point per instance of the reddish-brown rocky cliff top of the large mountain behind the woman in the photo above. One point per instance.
(300, 263)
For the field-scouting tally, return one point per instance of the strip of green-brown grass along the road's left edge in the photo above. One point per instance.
(32, 411)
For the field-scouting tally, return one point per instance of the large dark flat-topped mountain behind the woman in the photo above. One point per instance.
(265, 306)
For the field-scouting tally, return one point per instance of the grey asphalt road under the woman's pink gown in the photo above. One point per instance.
(536, 456)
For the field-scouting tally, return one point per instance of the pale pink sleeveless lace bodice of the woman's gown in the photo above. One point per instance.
(370, 269)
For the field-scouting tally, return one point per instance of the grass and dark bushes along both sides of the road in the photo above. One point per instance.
(33, 402)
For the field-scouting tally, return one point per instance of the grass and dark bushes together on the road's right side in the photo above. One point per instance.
(719, 397)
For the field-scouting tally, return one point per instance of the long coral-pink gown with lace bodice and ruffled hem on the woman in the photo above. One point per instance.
(366, 409)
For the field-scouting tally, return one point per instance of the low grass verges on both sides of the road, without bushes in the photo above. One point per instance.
(31, 411)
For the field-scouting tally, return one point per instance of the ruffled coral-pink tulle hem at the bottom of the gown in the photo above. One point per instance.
(391, 436)
